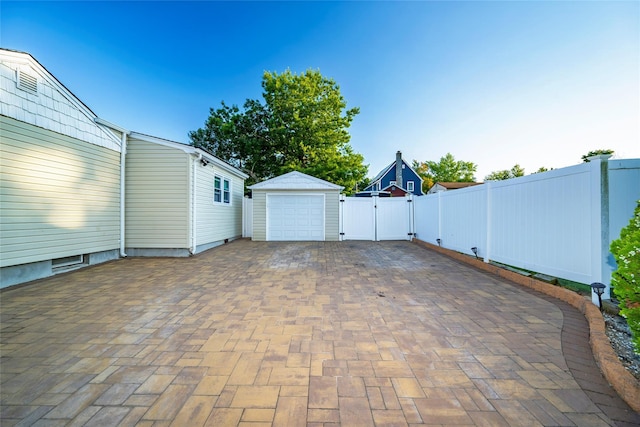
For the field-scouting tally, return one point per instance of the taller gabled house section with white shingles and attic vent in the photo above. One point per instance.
(60, 186)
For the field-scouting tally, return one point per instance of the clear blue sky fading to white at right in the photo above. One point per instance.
(495, 83)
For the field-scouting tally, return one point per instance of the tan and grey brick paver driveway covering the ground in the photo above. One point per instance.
(351, 333)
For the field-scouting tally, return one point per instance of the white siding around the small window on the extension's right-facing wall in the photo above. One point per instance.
(216, 221)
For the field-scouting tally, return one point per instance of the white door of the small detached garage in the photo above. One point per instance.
(295, 217)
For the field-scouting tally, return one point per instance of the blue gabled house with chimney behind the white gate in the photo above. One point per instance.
(397, 179)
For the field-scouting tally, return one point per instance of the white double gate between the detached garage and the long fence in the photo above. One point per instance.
(375, 218)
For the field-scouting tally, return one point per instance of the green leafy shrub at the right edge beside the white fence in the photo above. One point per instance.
(626, 279)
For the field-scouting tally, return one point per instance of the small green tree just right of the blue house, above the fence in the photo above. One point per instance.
(448, 169)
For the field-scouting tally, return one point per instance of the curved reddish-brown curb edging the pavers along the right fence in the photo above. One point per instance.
(627, 386)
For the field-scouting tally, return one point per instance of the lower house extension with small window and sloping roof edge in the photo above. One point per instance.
(180, 200)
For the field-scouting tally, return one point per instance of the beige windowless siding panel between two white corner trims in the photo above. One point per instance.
(157, 196)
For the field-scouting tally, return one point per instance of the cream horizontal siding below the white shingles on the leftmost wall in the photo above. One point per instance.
(59, 196)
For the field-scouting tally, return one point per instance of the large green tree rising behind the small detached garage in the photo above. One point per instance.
(302, 125)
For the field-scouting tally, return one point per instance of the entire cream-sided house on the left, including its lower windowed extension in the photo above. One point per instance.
(76, 190)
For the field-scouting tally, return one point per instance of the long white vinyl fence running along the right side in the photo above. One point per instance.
(559, 223)
